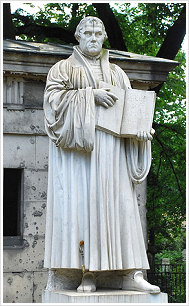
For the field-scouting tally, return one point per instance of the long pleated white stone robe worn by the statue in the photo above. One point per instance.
(91, 194)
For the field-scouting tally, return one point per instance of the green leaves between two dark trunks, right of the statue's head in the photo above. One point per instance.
(145, 26)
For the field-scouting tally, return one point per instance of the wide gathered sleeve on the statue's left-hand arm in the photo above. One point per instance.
(69, 112)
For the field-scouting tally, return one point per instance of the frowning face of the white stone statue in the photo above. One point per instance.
(91, 38)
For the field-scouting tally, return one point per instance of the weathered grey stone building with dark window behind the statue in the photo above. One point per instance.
(26, 65)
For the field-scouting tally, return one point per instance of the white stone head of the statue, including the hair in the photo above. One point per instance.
(90, 33)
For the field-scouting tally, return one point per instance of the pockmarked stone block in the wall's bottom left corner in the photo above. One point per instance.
(18, 287)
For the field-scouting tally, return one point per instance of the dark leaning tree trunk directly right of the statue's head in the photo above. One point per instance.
(113, 30)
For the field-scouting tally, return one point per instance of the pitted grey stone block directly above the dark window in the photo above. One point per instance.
(19, 151)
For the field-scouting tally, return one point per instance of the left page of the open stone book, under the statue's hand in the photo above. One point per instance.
(109, 119)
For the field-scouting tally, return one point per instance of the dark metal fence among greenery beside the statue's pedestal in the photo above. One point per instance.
(171, 279)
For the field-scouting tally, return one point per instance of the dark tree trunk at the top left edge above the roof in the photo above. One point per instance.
(8, 27)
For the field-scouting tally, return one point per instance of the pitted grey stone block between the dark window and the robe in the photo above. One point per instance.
(35, 185)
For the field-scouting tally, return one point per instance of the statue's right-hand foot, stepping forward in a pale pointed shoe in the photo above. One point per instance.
(135, 281)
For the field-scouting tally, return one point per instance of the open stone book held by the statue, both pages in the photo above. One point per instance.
(131, 113)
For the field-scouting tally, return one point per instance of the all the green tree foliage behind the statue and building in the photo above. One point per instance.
(155, 29)
